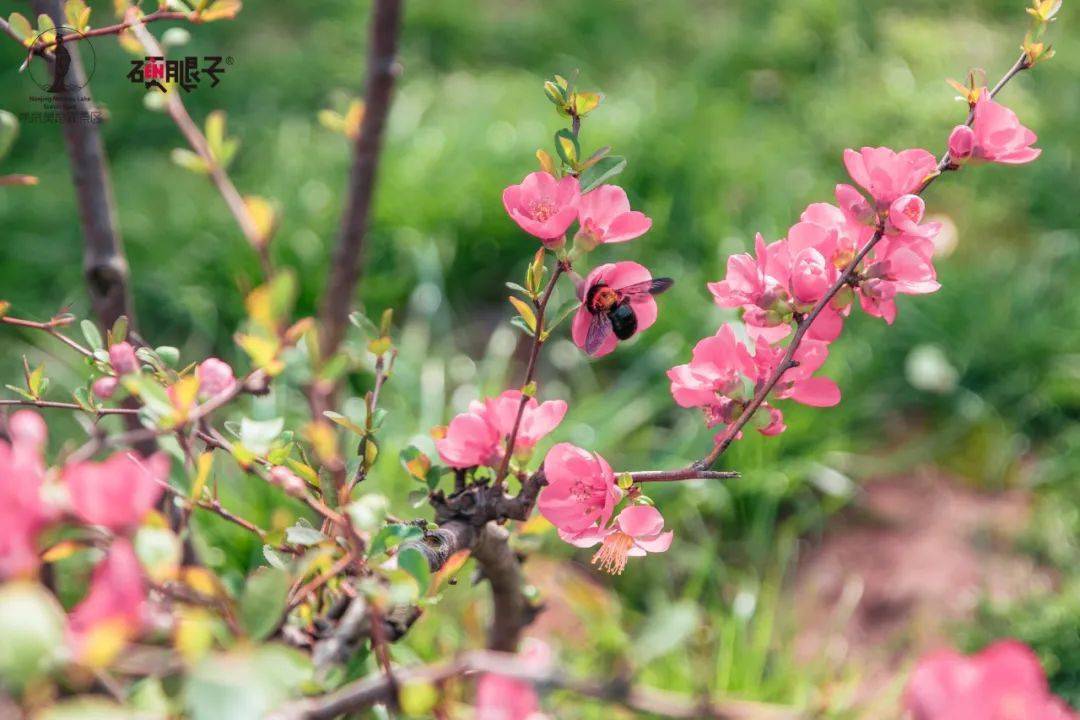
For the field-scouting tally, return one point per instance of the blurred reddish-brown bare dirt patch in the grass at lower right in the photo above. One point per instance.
(890, 576)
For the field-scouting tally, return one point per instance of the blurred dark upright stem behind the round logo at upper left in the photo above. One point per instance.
(105, 266)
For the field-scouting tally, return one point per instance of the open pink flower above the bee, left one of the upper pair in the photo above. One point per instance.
(542, 206)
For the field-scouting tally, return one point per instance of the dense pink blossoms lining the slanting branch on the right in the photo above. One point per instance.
(872, 247)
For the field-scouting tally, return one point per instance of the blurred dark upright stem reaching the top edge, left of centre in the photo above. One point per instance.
(346, 266)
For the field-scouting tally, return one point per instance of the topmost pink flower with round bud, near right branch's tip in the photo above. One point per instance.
(995, 137)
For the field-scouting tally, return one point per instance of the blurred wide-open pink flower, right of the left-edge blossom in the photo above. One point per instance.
(118, 493)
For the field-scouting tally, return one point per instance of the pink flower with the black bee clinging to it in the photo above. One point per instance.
(607, 283)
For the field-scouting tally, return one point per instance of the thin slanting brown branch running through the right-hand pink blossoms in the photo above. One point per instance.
(787, 363)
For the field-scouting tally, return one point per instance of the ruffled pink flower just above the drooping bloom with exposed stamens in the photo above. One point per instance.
(582, 493)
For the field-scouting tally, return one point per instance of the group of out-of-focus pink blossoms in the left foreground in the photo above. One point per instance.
(115, 496)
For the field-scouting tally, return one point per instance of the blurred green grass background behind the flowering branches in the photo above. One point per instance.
(734, 117)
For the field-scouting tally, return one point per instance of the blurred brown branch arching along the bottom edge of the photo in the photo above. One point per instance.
(377, 689)
